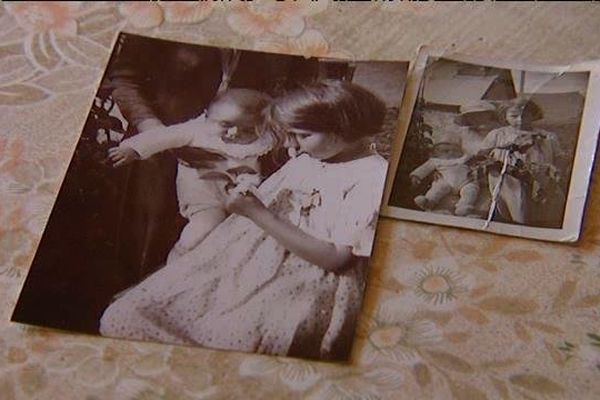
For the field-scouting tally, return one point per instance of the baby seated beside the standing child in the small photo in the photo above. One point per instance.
(448, 161)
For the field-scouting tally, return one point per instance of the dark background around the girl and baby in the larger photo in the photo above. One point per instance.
(111, 227)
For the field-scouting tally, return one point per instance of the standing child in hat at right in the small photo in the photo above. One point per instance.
(530, 155)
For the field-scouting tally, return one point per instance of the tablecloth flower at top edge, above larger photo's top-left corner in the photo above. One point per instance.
(152, 14)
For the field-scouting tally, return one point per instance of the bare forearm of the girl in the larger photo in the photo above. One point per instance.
(326, 255)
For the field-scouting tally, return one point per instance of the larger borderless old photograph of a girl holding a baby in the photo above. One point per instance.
(222, 198)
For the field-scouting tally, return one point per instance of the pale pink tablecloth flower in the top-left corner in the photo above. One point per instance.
(45, 16)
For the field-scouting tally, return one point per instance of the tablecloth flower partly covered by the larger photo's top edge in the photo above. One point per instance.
(310, 44)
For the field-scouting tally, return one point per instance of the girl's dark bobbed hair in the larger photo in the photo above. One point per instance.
(331, 106)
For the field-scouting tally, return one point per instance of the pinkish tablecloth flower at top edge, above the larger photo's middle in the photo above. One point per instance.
(266, 16)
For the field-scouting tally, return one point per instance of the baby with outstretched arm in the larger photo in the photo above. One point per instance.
(226, 133)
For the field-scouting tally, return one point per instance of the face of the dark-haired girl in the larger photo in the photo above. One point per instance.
(319, 145)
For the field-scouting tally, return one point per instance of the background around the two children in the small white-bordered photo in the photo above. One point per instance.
(562, 116)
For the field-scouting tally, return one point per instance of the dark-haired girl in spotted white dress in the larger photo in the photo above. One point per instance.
(285, 274)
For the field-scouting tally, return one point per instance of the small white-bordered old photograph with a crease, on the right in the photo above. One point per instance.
(496, 148)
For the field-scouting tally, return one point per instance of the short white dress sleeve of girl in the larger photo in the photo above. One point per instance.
(360, 211)
